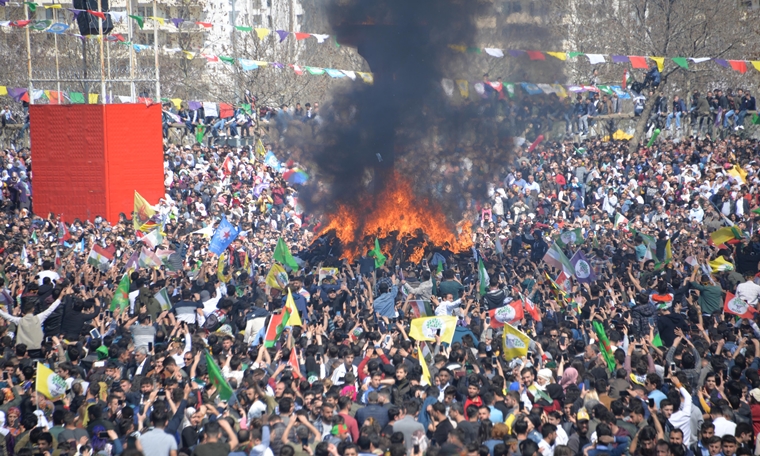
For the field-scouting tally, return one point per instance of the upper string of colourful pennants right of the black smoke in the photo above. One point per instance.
(636, 61)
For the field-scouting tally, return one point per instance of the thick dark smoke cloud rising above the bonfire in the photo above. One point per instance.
(405, 123)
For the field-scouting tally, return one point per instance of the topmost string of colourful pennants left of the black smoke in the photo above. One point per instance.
(119, 16)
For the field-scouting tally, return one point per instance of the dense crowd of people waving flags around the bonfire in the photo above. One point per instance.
(670, 373)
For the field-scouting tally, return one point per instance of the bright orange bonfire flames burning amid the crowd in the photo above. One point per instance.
(398, 218)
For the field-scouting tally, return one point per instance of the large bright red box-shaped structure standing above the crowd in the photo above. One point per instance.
(88, 160)
